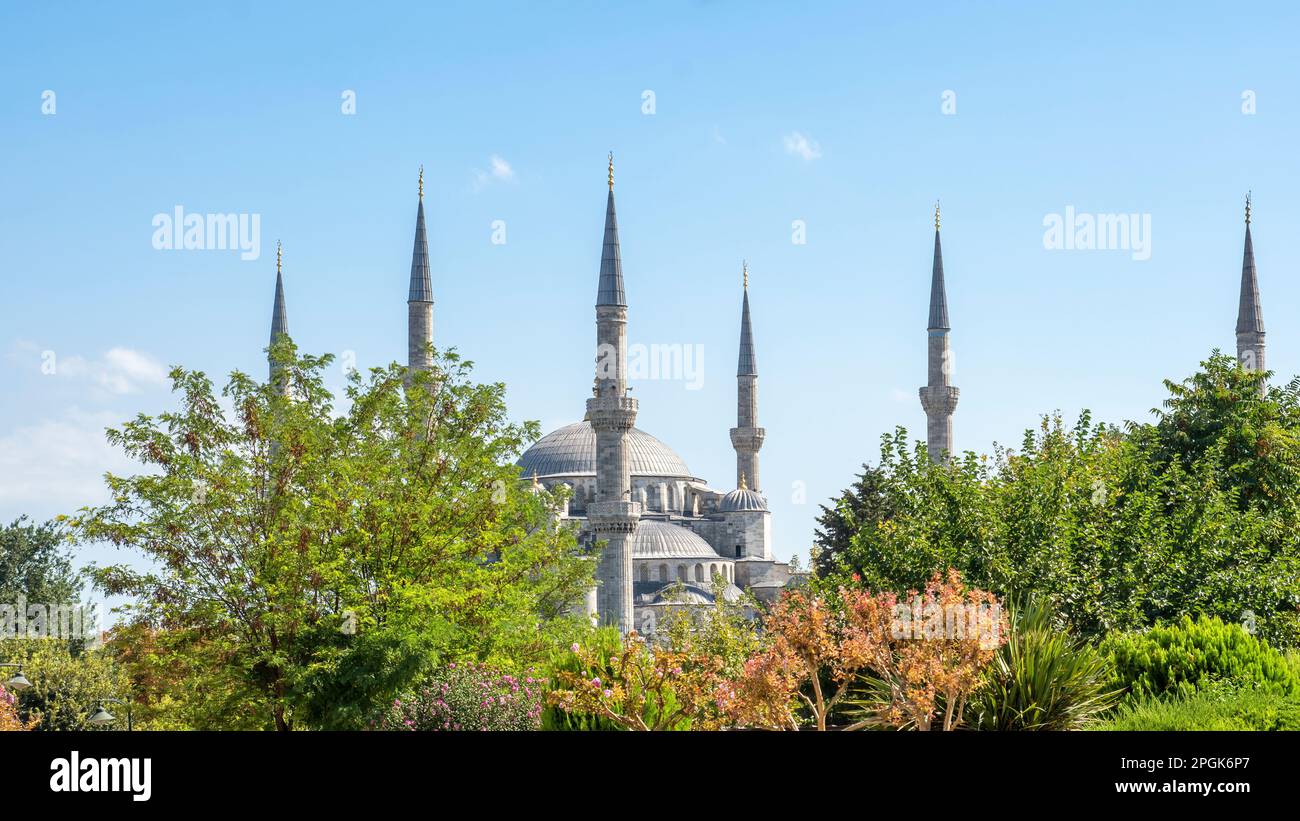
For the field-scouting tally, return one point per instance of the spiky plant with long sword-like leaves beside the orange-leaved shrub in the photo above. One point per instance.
(1043, 679)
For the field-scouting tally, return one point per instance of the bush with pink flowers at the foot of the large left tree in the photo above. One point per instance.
(469, 697)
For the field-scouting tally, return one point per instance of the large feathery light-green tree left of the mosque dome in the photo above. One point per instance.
(331, 557)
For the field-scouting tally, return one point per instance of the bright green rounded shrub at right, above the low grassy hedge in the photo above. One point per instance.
(1190, 655)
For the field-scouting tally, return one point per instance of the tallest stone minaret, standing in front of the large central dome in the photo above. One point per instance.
(612, 412)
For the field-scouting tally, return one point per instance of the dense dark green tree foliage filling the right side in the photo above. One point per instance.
(1116, 529)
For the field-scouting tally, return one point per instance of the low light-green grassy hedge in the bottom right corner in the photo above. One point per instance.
(1214, 709)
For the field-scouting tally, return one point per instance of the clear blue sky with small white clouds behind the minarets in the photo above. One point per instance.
(765, 115)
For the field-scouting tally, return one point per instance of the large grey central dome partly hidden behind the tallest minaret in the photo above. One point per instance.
(571, 451)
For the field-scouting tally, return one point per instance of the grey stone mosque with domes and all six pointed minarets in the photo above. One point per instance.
(670, 538)
